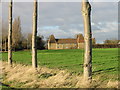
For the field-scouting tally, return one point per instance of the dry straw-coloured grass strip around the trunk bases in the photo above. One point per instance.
(25, 76)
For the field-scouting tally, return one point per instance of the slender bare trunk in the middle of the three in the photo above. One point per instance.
(34, 34)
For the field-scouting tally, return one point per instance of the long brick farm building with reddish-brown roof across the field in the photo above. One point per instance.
(66, 43)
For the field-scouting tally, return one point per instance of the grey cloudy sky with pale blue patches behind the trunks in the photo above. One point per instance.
(64, 20)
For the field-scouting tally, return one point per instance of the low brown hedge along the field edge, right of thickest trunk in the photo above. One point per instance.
(106, 46)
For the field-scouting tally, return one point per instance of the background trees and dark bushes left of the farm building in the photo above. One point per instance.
(19, 41)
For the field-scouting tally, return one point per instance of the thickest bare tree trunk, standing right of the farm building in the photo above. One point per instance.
(86, 11)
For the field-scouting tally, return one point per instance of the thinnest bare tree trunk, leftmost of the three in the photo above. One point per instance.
(10, 35)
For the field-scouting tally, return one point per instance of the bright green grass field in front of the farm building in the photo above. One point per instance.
(105, 61)
